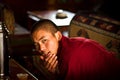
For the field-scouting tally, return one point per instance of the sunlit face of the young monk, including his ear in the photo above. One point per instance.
(46, 42)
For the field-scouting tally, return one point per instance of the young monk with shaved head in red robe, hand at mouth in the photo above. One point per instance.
(73, 58)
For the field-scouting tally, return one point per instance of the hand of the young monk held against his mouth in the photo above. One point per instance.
(50, 62)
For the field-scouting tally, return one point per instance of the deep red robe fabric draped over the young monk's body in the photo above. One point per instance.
(85, 59)
